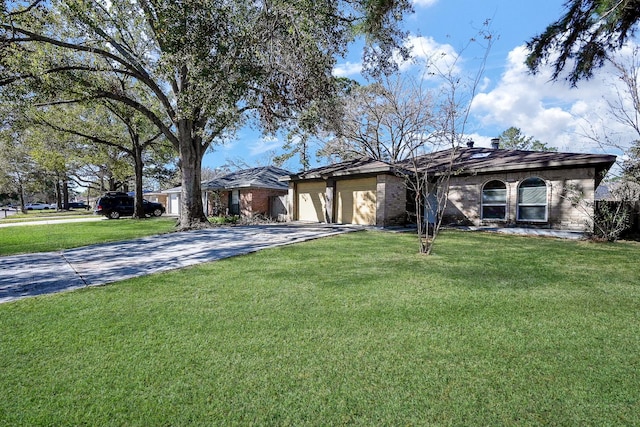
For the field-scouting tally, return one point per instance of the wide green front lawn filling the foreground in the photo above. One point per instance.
(356, 329)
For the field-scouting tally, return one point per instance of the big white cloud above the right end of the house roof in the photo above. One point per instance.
(553, 112)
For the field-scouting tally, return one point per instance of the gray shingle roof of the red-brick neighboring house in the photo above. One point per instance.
(260, 177)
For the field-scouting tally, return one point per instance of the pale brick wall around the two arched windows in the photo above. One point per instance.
(465, 198)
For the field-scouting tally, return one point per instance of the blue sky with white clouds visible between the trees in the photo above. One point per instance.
(552, 112)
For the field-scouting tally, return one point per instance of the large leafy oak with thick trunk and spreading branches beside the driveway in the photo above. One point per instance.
(209, 64)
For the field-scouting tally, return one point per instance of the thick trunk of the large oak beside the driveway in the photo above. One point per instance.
(191, 154)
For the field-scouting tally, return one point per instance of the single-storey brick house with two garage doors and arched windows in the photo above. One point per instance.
(488, 187)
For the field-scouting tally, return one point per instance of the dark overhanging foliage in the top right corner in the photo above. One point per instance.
(588, 31)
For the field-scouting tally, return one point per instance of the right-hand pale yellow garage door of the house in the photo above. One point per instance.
(357, 201)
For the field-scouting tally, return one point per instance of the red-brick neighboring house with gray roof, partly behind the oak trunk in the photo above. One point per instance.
(247, 192)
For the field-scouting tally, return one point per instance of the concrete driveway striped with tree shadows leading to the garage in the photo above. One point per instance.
(28, 275)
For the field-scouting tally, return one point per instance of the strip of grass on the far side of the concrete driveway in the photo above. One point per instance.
(55, 237)
